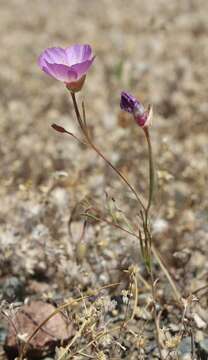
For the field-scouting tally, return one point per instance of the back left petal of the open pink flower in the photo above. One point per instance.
(54, 55)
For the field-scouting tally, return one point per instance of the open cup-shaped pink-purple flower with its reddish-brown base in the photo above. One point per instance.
(69, 65)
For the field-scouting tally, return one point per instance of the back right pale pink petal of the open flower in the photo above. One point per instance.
(78, 53)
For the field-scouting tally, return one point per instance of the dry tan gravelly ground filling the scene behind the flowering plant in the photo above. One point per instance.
(158, 51)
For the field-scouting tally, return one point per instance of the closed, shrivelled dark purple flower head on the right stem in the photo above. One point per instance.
(130, 104)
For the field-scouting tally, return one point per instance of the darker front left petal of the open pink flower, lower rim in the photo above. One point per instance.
(60, 72)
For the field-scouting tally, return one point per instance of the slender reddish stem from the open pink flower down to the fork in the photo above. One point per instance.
(94, 147)
